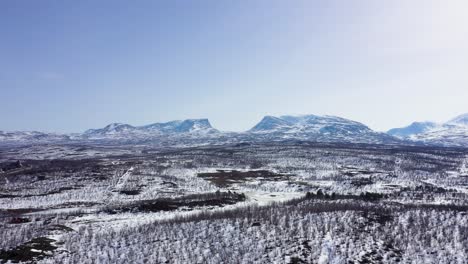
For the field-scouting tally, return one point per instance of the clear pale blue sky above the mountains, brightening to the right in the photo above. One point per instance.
(66, 66)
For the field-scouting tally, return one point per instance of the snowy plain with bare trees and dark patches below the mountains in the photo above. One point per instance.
(283, 202)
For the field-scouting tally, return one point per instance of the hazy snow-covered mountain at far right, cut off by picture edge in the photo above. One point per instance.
(451, 133)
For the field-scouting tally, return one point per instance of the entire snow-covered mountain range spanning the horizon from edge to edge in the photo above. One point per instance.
(270, 128)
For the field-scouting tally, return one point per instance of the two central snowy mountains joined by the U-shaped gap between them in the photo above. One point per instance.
(306, 127)
